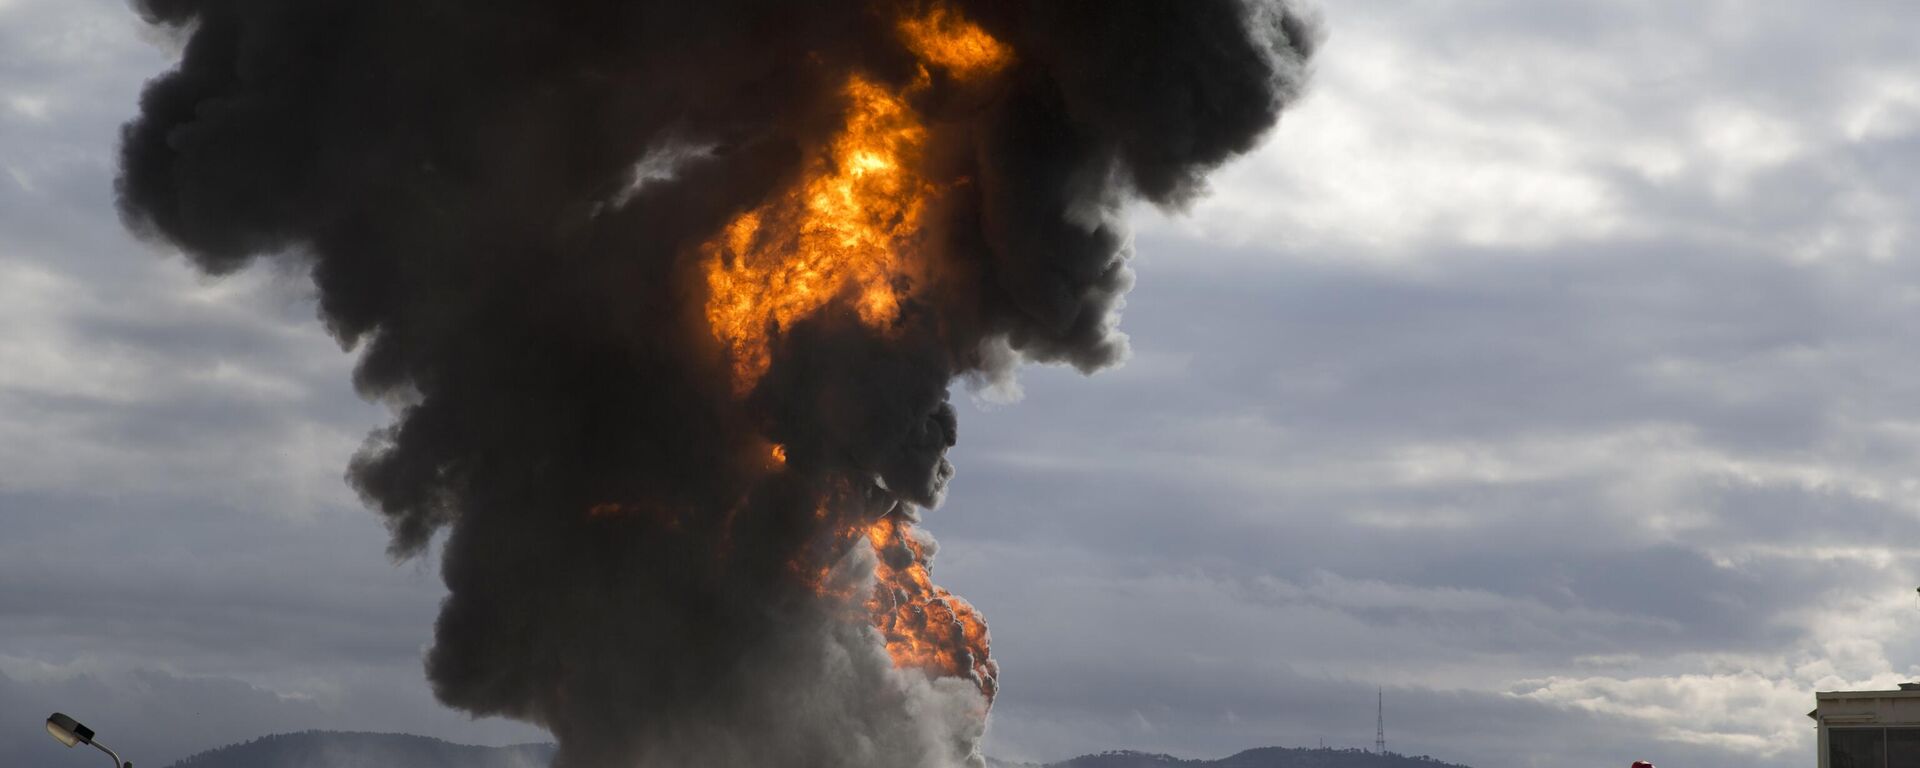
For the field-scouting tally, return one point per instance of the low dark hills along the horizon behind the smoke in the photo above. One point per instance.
(356, 750)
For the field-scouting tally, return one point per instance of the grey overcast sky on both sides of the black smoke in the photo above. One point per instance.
(1550, 370)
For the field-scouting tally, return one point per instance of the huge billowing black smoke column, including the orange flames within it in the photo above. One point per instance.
(667, 299)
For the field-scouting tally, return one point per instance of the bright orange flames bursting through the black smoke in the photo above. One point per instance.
(846, 233)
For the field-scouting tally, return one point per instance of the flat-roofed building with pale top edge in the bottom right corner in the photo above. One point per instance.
(1869, 729)
